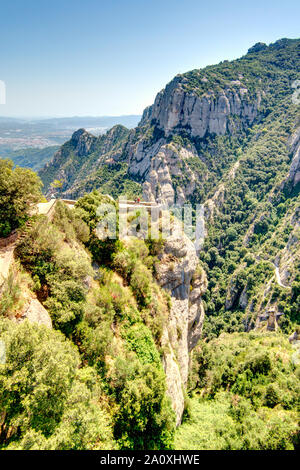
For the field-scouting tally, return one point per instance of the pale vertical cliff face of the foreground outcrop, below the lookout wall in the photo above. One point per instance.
(178, 272)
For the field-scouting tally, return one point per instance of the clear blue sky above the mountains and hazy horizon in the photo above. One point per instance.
(96, 57)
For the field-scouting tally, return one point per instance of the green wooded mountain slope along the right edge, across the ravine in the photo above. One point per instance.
(252, 230)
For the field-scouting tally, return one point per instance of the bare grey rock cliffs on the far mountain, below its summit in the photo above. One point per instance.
(157, 162)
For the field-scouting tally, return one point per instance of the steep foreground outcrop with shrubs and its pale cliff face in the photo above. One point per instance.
(132, 315)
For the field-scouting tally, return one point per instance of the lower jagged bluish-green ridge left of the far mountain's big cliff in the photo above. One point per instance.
(86, 162)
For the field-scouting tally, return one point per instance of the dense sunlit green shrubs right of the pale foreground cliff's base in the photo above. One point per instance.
(245, 394)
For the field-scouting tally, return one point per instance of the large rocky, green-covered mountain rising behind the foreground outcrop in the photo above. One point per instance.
(226, 136)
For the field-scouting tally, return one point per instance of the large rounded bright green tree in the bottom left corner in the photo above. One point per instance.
(45, 400)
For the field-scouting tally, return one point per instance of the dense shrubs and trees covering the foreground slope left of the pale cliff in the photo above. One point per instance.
(110, 322)
